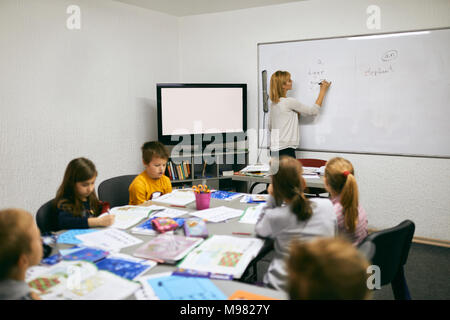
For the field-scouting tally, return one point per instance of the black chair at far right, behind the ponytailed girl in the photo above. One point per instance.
(391, 253)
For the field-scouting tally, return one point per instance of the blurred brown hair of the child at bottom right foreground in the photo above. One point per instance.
(326, 268)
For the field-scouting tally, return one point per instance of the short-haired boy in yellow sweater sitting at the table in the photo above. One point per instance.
(152, 182)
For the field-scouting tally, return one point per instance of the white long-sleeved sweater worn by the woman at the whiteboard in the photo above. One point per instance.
(284, 118)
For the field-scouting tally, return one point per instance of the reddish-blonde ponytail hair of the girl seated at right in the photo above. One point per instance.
(340, 176)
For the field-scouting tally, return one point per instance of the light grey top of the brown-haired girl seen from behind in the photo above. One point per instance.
(280, 224)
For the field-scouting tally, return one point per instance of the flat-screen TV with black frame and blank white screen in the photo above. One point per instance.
(193, 110)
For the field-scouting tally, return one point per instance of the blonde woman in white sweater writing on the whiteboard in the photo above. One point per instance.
(285, 113)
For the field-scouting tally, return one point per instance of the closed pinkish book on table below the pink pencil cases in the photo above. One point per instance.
(167, 248)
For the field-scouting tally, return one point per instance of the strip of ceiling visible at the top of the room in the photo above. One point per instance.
(192, 7)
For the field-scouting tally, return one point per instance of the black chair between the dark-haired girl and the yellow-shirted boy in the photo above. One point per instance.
(115, 190)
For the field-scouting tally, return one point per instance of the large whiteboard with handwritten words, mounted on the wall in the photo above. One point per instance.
(389, 94)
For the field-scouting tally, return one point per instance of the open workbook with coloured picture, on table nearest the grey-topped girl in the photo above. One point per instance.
(223, 254)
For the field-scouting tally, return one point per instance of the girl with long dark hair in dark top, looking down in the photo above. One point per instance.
(76, 200)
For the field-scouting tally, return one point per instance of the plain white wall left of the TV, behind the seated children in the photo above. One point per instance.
(66, 94)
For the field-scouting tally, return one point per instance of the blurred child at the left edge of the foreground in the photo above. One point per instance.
(21, 248)
